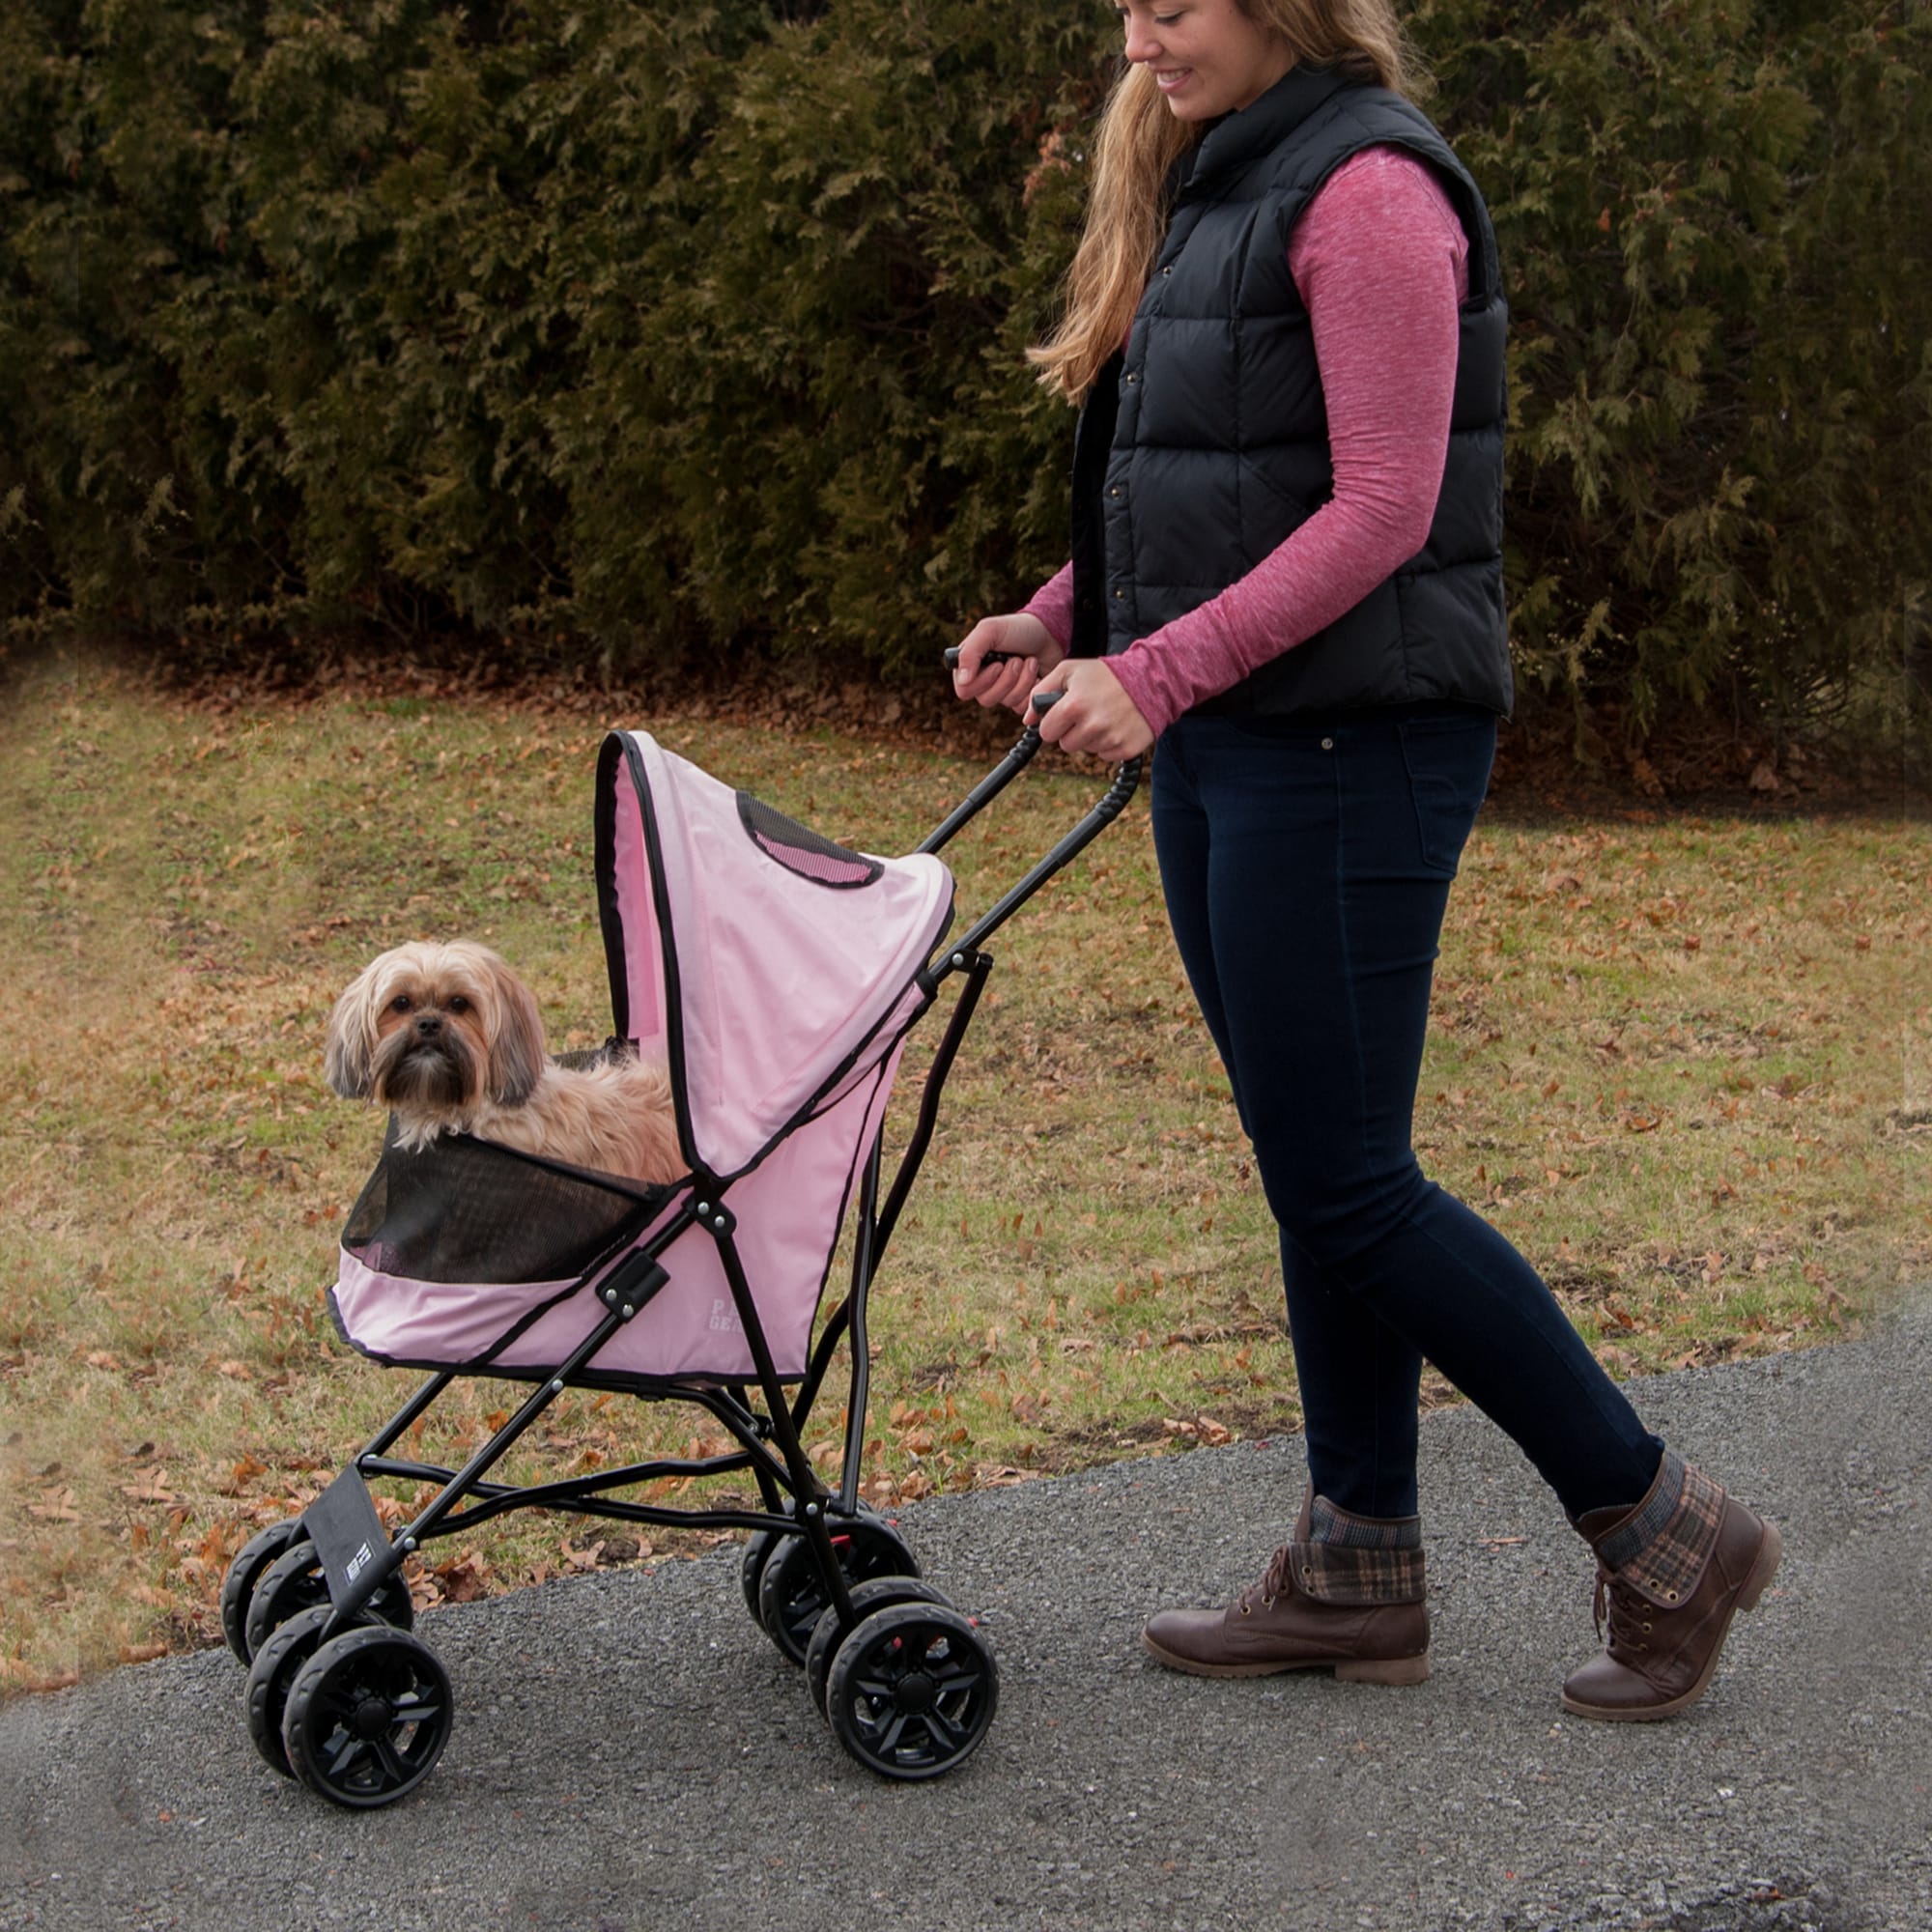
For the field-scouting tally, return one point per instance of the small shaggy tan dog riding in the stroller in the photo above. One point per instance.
(449, 1040)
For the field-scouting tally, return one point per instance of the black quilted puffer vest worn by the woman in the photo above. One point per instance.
(1207, 445)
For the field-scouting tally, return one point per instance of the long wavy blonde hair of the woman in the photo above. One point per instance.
(1137, 146)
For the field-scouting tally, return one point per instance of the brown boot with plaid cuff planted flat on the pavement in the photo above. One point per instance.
(1346, 1595)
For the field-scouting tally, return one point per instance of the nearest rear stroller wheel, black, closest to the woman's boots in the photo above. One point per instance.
(913, 1691)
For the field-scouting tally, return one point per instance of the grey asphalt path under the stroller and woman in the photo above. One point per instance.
(631, 1753)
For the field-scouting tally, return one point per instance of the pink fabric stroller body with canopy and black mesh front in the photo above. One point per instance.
(776, 975)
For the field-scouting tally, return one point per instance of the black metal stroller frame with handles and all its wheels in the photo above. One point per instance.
(349, 1701)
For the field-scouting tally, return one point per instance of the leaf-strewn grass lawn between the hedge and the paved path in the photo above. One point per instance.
(1684, 1062)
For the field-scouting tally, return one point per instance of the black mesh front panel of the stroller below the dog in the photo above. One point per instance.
(469, 1210)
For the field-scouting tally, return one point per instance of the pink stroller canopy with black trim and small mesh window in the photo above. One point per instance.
(768, 967)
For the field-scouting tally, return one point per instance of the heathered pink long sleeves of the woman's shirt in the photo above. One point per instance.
(1382, 266)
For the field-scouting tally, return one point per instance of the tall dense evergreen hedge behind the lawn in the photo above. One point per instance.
(679, 333)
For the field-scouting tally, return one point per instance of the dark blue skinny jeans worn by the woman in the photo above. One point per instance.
(1307, 870)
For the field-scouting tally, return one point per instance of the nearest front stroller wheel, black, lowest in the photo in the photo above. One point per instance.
(368, 1717)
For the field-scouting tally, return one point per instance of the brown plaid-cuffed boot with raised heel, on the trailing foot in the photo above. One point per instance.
(1672, 1572)
